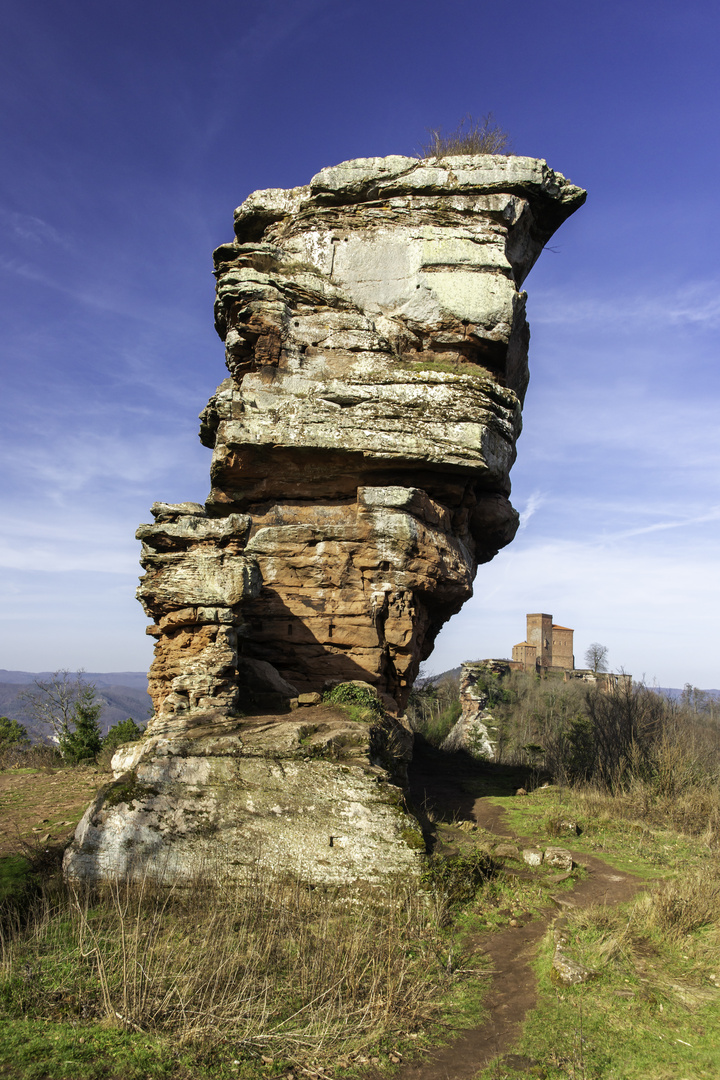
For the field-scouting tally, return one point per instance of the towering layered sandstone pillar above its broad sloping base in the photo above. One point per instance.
(377, 345)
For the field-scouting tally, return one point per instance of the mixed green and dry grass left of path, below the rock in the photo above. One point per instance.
(229, 976)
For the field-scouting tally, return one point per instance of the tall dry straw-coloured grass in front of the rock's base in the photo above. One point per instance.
(271, 968)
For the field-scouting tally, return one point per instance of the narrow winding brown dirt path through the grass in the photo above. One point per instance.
(511, 952)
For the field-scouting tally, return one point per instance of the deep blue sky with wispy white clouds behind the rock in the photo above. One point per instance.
(130, 133)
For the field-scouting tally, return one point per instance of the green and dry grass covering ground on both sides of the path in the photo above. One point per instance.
(653, 1012)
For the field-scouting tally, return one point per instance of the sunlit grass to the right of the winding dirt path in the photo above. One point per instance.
(654, 1011)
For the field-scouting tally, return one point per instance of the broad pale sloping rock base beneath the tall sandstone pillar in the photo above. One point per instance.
(313, 794)
